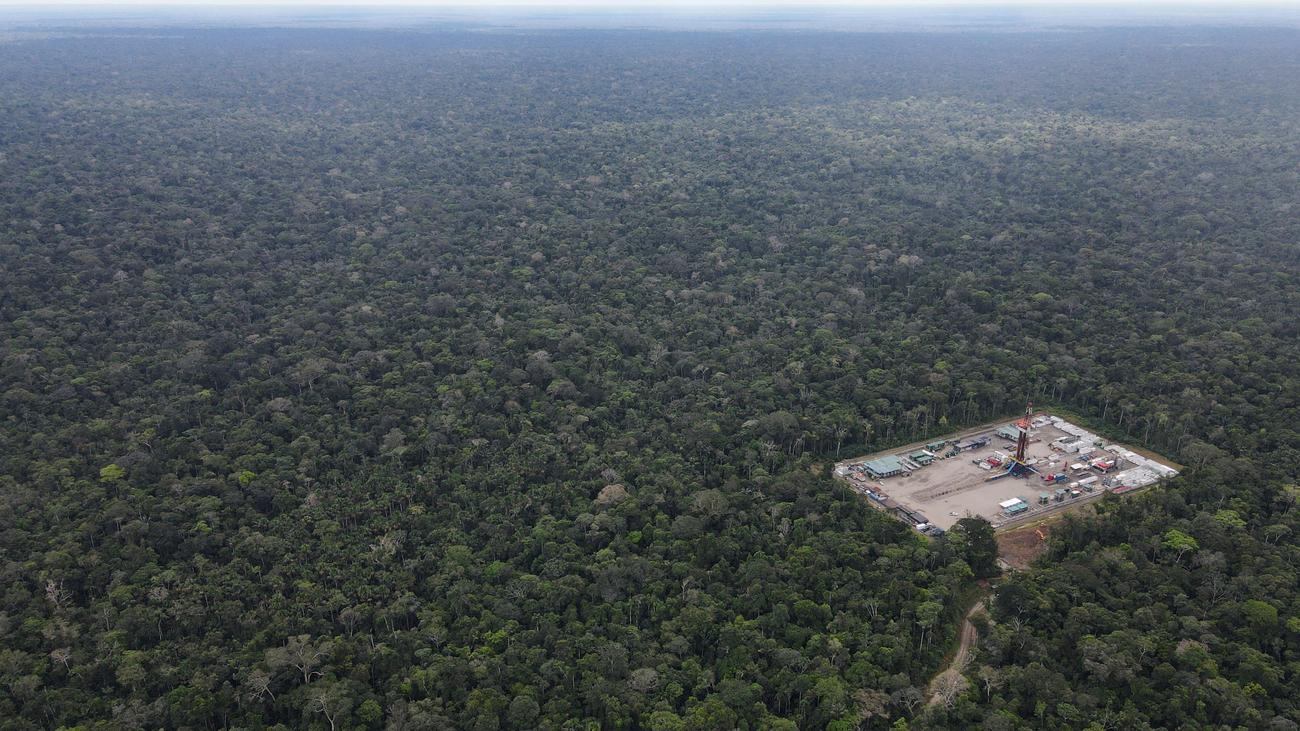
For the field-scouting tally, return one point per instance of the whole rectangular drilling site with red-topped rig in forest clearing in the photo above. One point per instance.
(1007, 473)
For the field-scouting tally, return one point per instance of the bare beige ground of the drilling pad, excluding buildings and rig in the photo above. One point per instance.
(955, 487)
